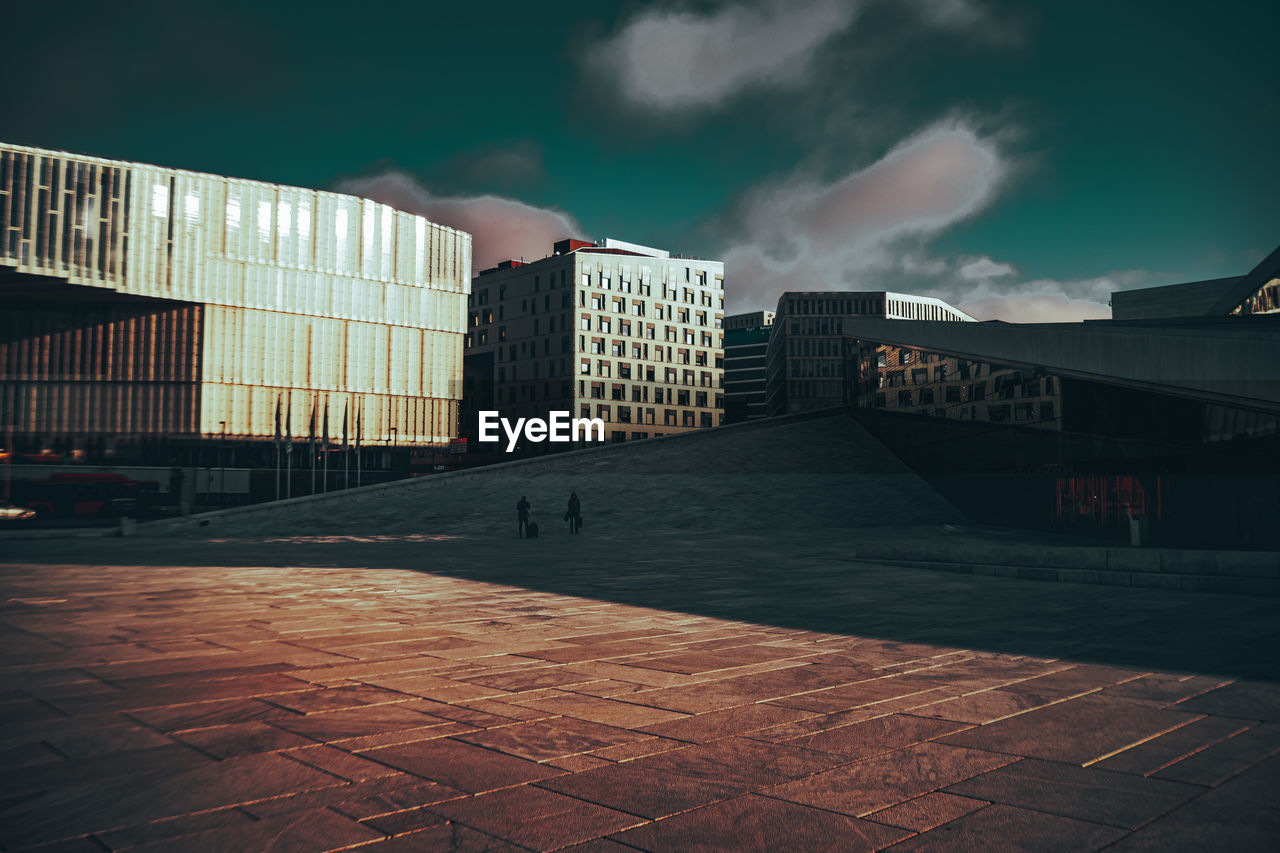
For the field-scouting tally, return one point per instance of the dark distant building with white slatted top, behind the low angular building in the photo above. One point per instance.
(804, 364)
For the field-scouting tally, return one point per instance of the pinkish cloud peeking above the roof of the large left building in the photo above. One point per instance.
(500, 227)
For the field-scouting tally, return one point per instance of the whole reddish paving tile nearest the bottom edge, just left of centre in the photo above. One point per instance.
(536, 818)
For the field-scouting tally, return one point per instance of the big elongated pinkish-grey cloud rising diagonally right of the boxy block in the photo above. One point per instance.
(852, 232)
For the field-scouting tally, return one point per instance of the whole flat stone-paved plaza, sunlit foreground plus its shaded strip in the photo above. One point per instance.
(669, 691)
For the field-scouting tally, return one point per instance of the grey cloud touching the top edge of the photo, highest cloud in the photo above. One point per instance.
(682, 60)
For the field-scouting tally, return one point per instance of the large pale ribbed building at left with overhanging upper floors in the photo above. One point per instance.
(162, 317)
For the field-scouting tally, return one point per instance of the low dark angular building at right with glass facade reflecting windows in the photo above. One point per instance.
(1160, 428)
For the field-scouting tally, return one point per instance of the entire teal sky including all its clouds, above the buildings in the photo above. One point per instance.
(1021, 161)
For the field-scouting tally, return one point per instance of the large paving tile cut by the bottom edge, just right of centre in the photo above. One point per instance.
(761, 825)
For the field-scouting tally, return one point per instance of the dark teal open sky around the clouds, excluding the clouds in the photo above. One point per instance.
(1137, 136)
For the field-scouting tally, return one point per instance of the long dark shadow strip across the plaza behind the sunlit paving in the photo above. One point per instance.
(797, 581)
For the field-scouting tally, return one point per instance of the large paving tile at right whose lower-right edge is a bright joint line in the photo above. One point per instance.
(1078, 732)
